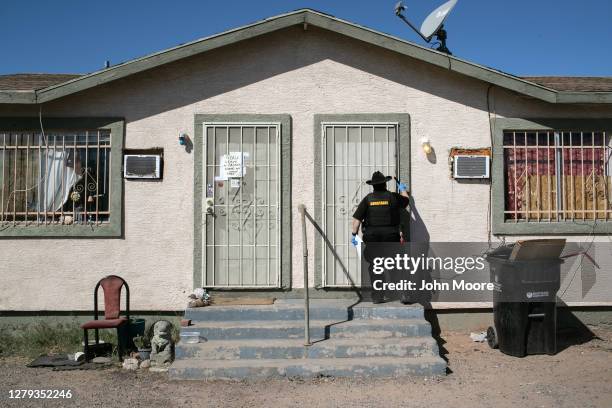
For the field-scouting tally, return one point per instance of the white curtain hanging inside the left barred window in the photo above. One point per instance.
(55, 180)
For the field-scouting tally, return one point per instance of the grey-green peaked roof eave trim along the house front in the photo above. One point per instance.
(316, 19)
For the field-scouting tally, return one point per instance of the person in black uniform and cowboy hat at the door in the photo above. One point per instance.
(379, 216)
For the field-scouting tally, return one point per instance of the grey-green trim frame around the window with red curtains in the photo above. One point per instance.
(502, 227)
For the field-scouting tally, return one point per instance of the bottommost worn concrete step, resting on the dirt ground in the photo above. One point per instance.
(335, 367)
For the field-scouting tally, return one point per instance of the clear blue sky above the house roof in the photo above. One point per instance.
(522, 37)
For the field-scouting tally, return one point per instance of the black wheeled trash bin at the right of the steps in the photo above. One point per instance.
(524, 304)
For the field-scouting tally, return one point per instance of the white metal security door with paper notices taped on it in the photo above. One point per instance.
(241, 205)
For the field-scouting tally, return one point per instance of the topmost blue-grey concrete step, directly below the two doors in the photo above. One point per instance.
(293, 309)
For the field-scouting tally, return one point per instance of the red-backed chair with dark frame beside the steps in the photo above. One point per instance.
(111, 285)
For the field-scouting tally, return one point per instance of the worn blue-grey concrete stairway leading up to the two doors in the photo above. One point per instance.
(268, 341)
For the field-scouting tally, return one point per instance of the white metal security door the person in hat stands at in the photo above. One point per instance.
(351, 153)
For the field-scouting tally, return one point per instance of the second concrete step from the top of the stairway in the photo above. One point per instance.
(319, 329)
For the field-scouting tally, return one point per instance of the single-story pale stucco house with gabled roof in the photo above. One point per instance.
(185, 168)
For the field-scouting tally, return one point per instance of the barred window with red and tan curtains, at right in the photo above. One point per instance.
(557, 176)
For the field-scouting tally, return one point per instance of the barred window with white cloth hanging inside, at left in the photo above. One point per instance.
(55, 177)
